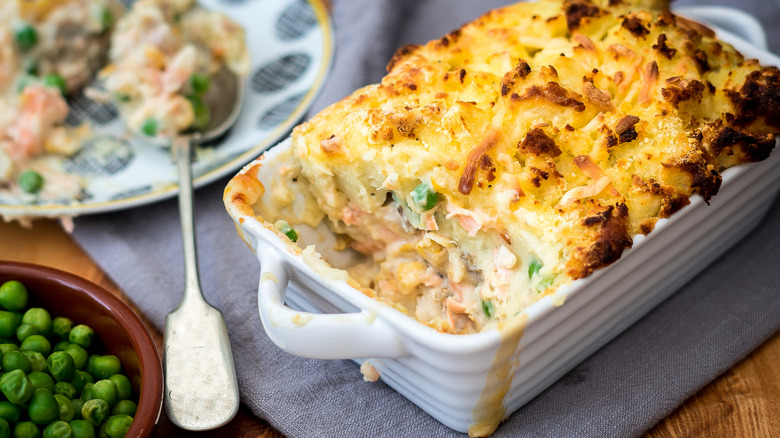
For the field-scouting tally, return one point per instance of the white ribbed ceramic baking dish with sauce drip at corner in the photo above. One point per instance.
(471, 382)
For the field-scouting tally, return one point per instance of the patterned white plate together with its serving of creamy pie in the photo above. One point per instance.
(91, 145)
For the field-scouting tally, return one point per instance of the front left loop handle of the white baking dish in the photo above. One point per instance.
(314, 335)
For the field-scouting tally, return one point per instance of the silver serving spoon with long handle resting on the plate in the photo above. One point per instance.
(201, 392)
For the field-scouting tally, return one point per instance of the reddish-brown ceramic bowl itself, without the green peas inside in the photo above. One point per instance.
(119, 329)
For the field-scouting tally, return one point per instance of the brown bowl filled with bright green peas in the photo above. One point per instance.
(75, 361)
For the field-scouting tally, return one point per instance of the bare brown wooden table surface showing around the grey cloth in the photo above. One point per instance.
(744, 402)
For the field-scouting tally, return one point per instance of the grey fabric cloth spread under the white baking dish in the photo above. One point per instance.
(621, 390)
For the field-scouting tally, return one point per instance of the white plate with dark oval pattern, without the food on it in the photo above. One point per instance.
(291, 46)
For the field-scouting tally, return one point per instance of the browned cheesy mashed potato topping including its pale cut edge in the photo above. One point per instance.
(561, 128)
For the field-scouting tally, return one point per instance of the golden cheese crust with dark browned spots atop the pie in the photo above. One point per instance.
(574, 89)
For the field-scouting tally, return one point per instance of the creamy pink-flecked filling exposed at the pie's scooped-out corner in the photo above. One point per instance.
(411, 260)
